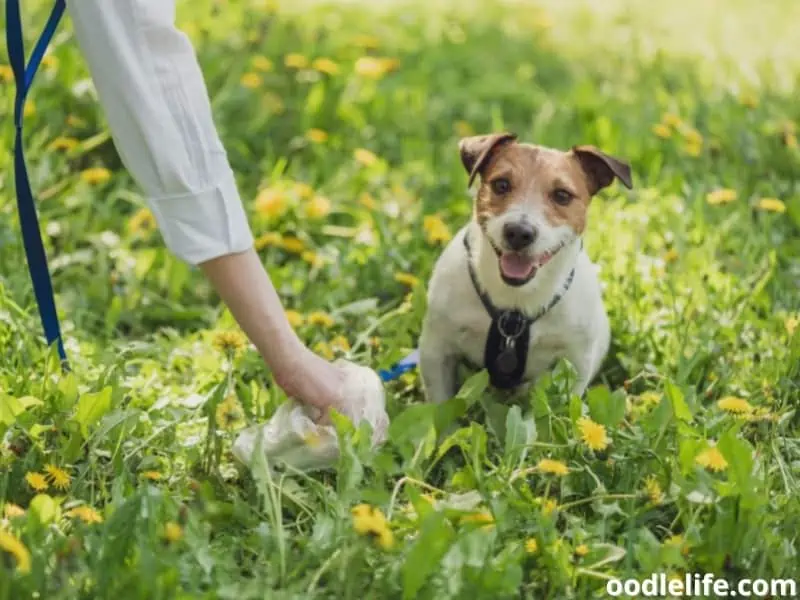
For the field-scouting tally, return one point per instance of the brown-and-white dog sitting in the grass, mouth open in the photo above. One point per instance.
(514, 290)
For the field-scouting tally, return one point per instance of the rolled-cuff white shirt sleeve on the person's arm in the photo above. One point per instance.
(155, 100)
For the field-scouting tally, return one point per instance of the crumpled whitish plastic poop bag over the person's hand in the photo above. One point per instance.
(294, 435)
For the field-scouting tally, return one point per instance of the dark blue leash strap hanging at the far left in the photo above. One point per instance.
(29, 222)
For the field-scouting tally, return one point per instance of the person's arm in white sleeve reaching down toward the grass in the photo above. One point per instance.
(154, 97)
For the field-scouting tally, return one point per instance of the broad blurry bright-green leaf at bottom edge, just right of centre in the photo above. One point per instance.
(435, 538)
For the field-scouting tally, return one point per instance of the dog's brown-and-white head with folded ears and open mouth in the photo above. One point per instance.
(533, 200)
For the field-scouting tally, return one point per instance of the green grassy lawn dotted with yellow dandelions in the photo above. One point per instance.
(703, 299)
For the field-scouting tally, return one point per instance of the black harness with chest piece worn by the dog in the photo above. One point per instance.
(506, 352)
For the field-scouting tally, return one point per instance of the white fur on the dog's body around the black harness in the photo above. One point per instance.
(456, 323)
